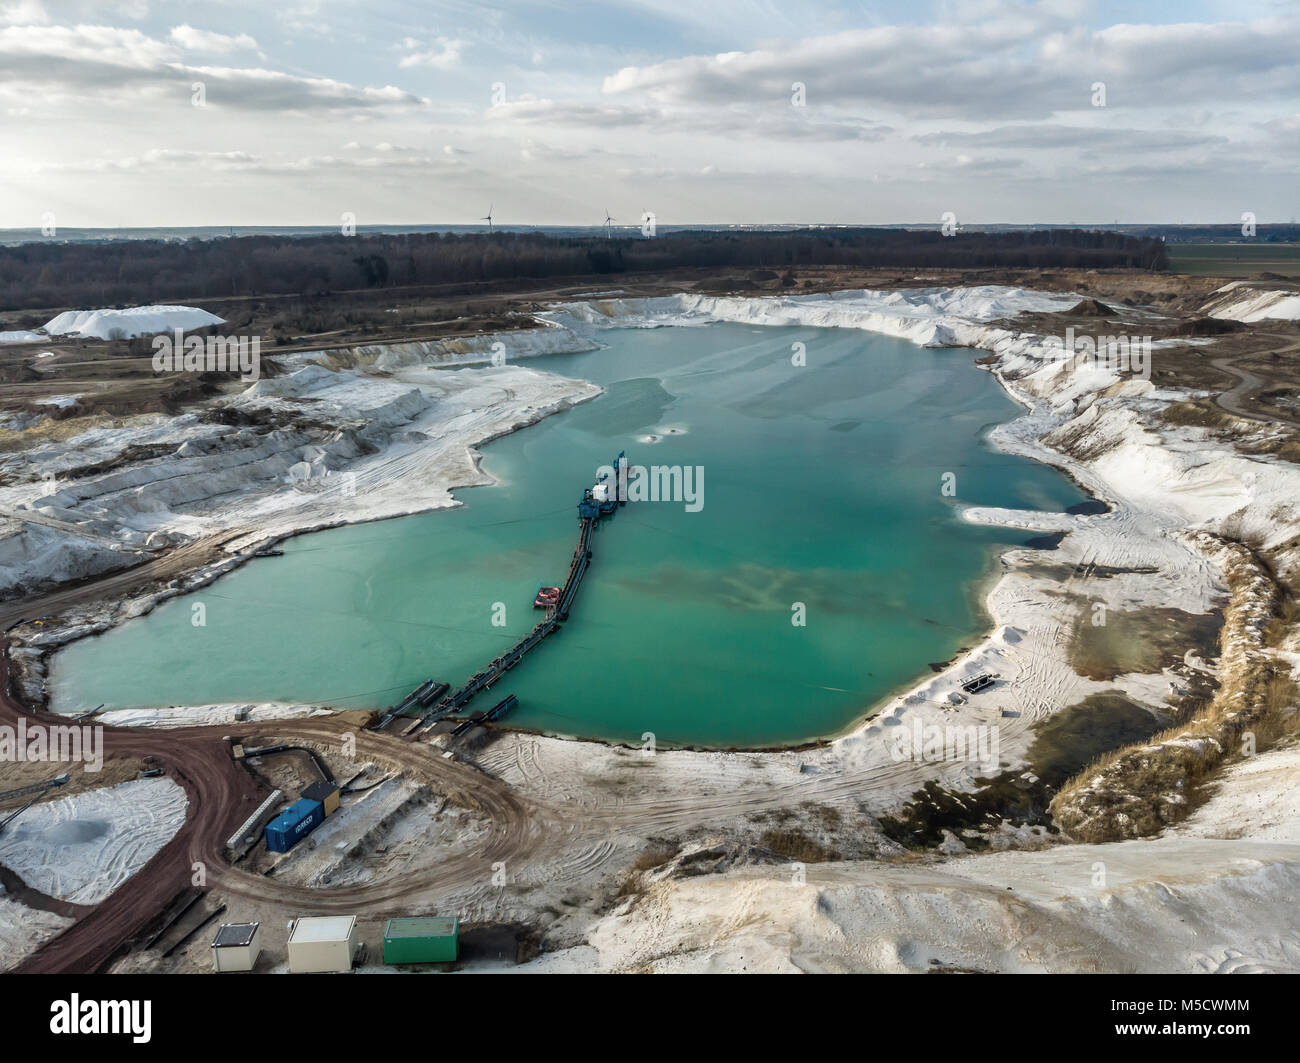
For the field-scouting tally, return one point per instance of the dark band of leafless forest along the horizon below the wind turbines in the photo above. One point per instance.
(115, 274)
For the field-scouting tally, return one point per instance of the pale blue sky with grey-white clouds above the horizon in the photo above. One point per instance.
(294, 112)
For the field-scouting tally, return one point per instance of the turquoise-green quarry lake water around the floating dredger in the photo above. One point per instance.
(822, 487)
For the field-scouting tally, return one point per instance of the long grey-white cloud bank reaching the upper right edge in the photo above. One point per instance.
(991, 70)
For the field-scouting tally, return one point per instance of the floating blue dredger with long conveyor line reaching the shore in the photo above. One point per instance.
(432, 696)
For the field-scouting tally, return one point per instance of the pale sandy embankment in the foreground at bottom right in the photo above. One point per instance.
(1215, 896)
